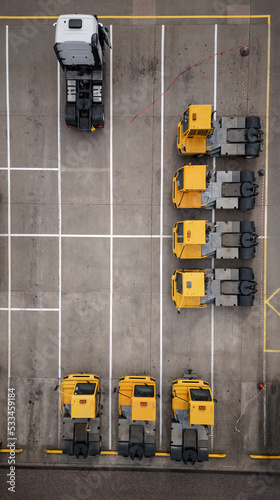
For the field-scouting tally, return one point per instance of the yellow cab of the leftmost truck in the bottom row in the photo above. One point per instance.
(81, 391)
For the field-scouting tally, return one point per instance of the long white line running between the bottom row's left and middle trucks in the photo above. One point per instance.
(111, 241)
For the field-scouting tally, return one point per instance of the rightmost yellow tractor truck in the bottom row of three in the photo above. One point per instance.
(192, 415)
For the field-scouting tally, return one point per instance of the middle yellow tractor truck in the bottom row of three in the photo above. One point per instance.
(137, 416)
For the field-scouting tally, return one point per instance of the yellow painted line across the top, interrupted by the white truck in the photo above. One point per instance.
(265, 16)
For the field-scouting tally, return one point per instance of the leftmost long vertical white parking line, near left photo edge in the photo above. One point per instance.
(9, 202)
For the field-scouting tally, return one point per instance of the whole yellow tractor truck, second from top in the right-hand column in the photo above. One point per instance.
(195, 187)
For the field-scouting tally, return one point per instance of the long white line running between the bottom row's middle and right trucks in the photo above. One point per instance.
(161, 227)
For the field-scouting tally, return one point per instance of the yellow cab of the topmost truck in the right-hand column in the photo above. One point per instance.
(193, 128)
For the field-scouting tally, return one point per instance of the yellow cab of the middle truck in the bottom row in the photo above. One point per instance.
(143, 408)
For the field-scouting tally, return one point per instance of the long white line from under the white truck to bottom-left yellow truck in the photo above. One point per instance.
(59, 237)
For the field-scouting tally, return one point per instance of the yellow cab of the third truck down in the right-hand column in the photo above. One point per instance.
(187, 238)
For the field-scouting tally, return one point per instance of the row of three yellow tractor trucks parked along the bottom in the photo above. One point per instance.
(192, 416)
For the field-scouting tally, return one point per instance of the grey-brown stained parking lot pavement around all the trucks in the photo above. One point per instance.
(59, 223)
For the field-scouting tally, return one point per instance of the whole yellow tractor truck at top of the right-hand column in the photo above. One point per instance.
(199, 134)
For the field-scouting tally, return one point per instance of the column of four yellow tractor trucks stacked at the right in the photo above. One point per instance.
(195, 186)
